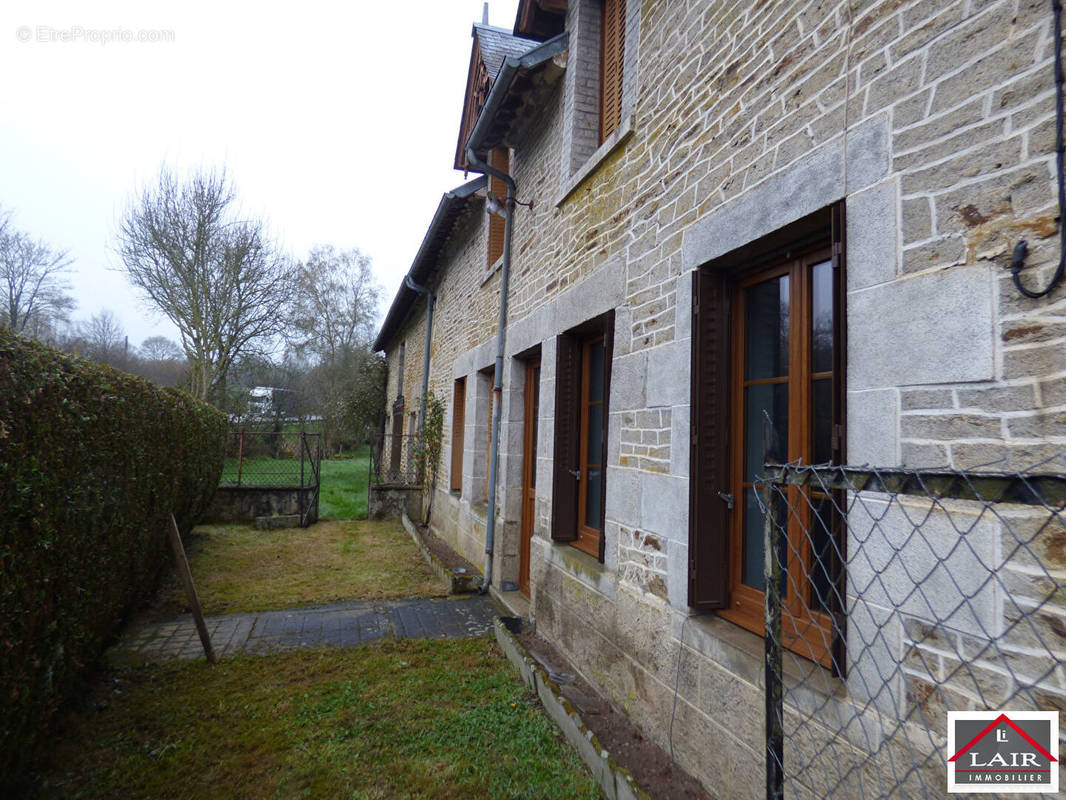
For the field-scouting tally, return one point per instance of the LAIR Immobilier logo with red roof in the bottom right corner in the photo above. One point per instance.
(1010, 753)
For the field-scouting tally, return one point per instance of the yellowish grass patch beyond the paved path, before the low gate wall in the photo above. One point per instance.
(237, 568)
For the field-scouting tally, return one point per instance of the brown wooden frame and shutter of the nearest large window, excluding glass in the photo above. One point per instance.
(718, 427)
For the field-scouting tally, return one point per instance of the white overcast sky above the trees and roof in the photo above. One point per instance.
(336, 121)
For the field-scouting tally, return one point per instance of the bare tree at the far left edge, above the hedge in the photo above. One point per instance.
(33, 279)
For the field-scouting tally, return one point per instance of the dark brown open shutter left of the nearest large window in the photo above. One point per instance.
(709, 462)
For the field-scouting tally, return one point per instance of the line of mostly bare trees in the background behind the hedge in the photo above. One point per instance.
(248, 315)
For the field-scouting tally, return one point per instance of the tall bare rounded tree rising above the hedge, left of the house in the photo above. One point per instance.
(219, 279)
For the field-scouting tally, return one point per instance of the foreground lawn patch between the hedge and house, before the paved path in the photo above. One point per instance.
(401, 719)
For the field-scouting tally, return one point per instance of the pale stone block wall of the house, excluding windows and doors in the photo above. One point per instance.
(933, 121)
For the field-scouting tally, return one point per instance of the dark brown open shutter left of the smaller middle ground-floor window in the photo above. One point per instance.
(564, 486)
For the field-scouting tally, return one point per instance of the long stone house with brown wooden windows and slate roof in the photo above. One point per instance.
(795, 212)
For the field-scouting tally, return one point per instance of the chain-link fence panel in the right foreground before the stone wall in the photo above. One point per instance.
(895, 597)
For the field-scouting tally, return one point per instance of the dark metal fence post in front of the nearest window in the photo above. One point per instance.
(777, 575)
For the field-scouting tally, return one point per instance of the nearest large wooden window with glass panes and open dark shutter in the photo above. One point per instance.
(768, 344)
